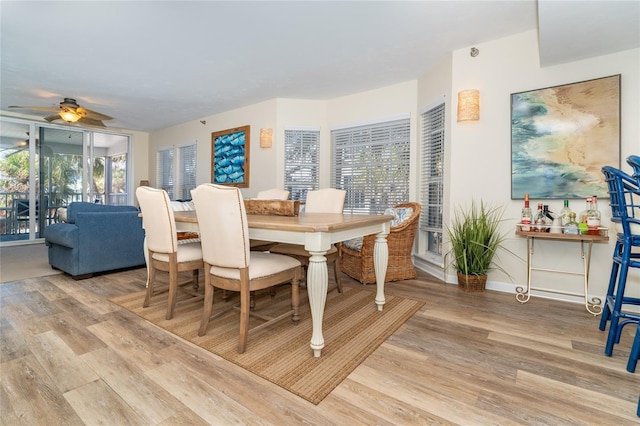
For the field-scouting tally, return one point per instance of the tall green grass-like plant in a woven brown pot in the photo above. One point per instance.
(475, 238)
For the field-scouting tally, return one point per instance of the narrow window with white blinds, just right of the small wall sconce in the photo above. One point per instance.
(301, 162)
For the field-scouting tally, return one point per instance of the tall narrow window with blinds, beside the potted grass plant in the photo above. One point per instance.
(432, 166)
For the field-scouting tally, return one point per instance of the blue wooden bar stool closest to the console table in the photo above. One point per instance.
(625, 214)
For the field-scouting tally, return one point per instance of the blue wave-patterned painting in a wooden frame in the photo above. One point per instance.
(230, 157)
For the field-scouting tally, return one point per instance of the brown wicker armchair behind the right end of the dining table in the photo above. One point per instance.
(359, 264)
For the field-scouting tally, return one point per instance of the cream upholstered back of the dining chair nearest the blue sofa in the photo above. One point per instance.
(157, 219)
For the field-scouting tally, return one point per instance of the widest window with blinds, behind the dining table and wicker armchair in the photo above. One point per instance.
(371, 163)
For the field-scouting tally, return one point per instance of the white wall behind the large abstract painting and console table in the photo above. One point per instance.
(481, 152)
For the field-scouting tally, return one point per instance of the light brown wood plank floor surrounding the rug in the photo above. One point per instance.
(69, 356)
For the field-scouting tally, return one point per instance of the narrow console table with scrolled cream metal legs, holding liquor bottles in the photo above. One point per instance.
(593, 306)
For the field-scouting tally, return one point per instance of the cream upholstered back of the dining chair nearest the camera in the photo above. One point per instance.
(222, 218)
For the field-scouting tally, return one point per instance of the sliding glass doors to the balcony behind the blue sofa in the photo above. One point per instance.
(45, 167)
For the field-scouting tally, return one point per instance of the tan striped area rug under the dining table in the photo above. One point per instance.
(353, 328)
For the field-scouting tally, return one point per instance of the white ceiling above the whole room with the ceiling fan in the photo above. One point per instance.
(155, 64)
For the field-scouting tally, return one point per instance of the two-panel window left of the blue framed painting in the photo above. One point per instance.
(176, 171)
